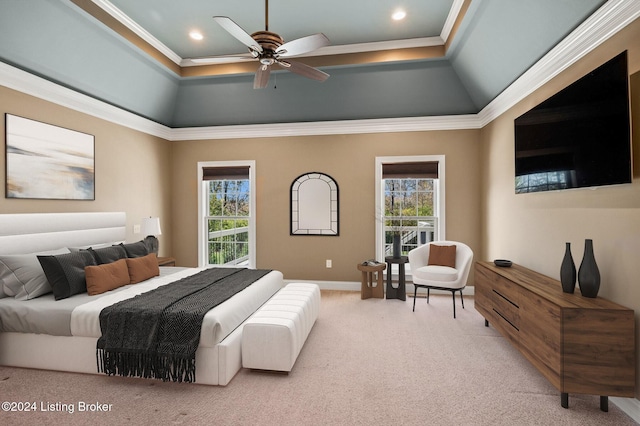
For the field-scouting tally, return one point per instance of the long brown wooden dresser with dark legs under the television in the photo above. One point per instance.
(581, 345)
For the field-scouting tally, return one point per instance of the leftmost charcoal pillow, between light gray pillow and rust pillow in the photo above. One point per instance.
(65, 272)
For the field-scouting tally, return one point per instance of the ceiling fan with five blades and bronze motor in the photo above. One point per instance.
(269, 48)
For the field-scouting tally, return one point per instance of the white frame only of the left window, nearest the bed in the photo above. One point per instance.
(203, 206)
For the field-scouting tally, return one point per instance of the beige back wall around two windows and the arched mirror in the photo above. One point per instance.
(350, 160)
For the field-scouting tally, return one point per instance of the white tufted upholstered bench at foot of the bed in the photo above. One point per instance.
(273, 337)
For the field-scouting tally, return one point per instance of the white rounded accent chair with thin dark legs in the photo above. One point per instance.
(440, 277)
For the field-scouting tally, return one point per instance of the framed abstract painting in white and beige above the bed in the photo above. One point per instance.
(48, 162)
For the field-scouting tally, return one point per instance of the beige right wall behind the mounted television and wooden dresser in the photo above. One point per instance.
(531, 229)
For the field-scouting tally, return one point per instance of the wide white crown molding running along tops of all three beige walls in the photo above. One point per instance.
(608, 20)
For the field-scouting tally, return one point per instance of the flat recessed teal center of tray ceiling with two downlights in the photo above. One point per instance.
(344, 22)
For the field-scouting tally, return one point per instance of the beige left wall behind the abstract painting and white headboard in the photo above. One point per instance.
(132, 169)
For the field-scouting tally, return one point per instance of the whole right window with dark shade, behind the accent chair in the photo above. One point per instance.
(410, 202)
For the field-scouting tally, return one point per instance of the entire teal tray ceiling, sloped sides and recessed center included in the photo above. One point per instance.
(492, 43)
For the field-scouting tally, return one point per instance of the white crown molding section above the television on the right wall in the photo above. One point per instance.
(595, 30)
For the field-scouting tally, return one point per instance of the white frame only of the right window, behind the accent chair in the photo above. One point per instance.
(439, 200)
